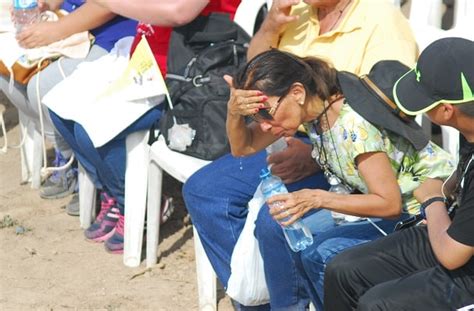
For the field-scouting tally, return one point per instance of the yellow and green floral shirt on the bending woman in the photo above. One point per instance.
(351, 135)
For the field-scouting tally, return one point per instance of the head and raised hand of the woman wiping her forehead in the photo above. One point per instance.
(279, 91)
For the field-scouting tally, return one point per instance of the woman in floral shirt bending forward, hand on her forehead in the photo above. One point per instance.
(356, 138)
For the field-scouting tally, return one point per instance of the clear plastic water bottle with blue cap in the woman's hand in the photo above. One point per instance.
(297, 234)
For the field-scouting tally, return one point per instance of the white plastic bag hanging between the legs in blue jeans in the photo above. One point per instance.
(247, 283)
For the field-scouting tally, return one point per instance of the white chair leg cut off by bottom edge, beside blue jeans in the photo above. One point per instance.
(206, 277)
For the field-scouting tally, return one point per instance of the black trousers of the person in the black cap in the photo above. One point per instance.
(398, 272)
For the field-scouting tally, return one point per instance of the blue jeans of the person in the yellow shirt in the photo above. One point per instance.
(217, 196)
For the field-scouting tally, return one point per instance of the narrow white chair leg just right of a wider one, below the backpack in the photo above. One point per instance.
(155, 180)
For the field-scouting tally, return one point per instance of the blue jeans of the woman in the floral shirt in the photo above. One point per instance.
(329, 240)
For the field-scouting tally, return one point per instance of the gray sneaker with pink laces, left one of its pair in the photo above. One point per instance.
(104, 225)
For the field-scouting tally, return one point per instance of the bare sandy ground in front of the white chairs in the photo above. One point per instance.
(52, 267)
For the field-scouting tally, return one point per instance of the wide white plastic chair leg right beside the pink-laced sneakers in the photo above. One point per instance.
(136, 174)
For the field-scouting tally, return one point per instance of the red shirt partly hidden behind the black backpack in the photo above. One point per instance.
(159, 37)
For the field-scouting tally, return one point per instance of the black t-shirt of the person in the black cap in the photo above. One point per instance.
(462, 227)
